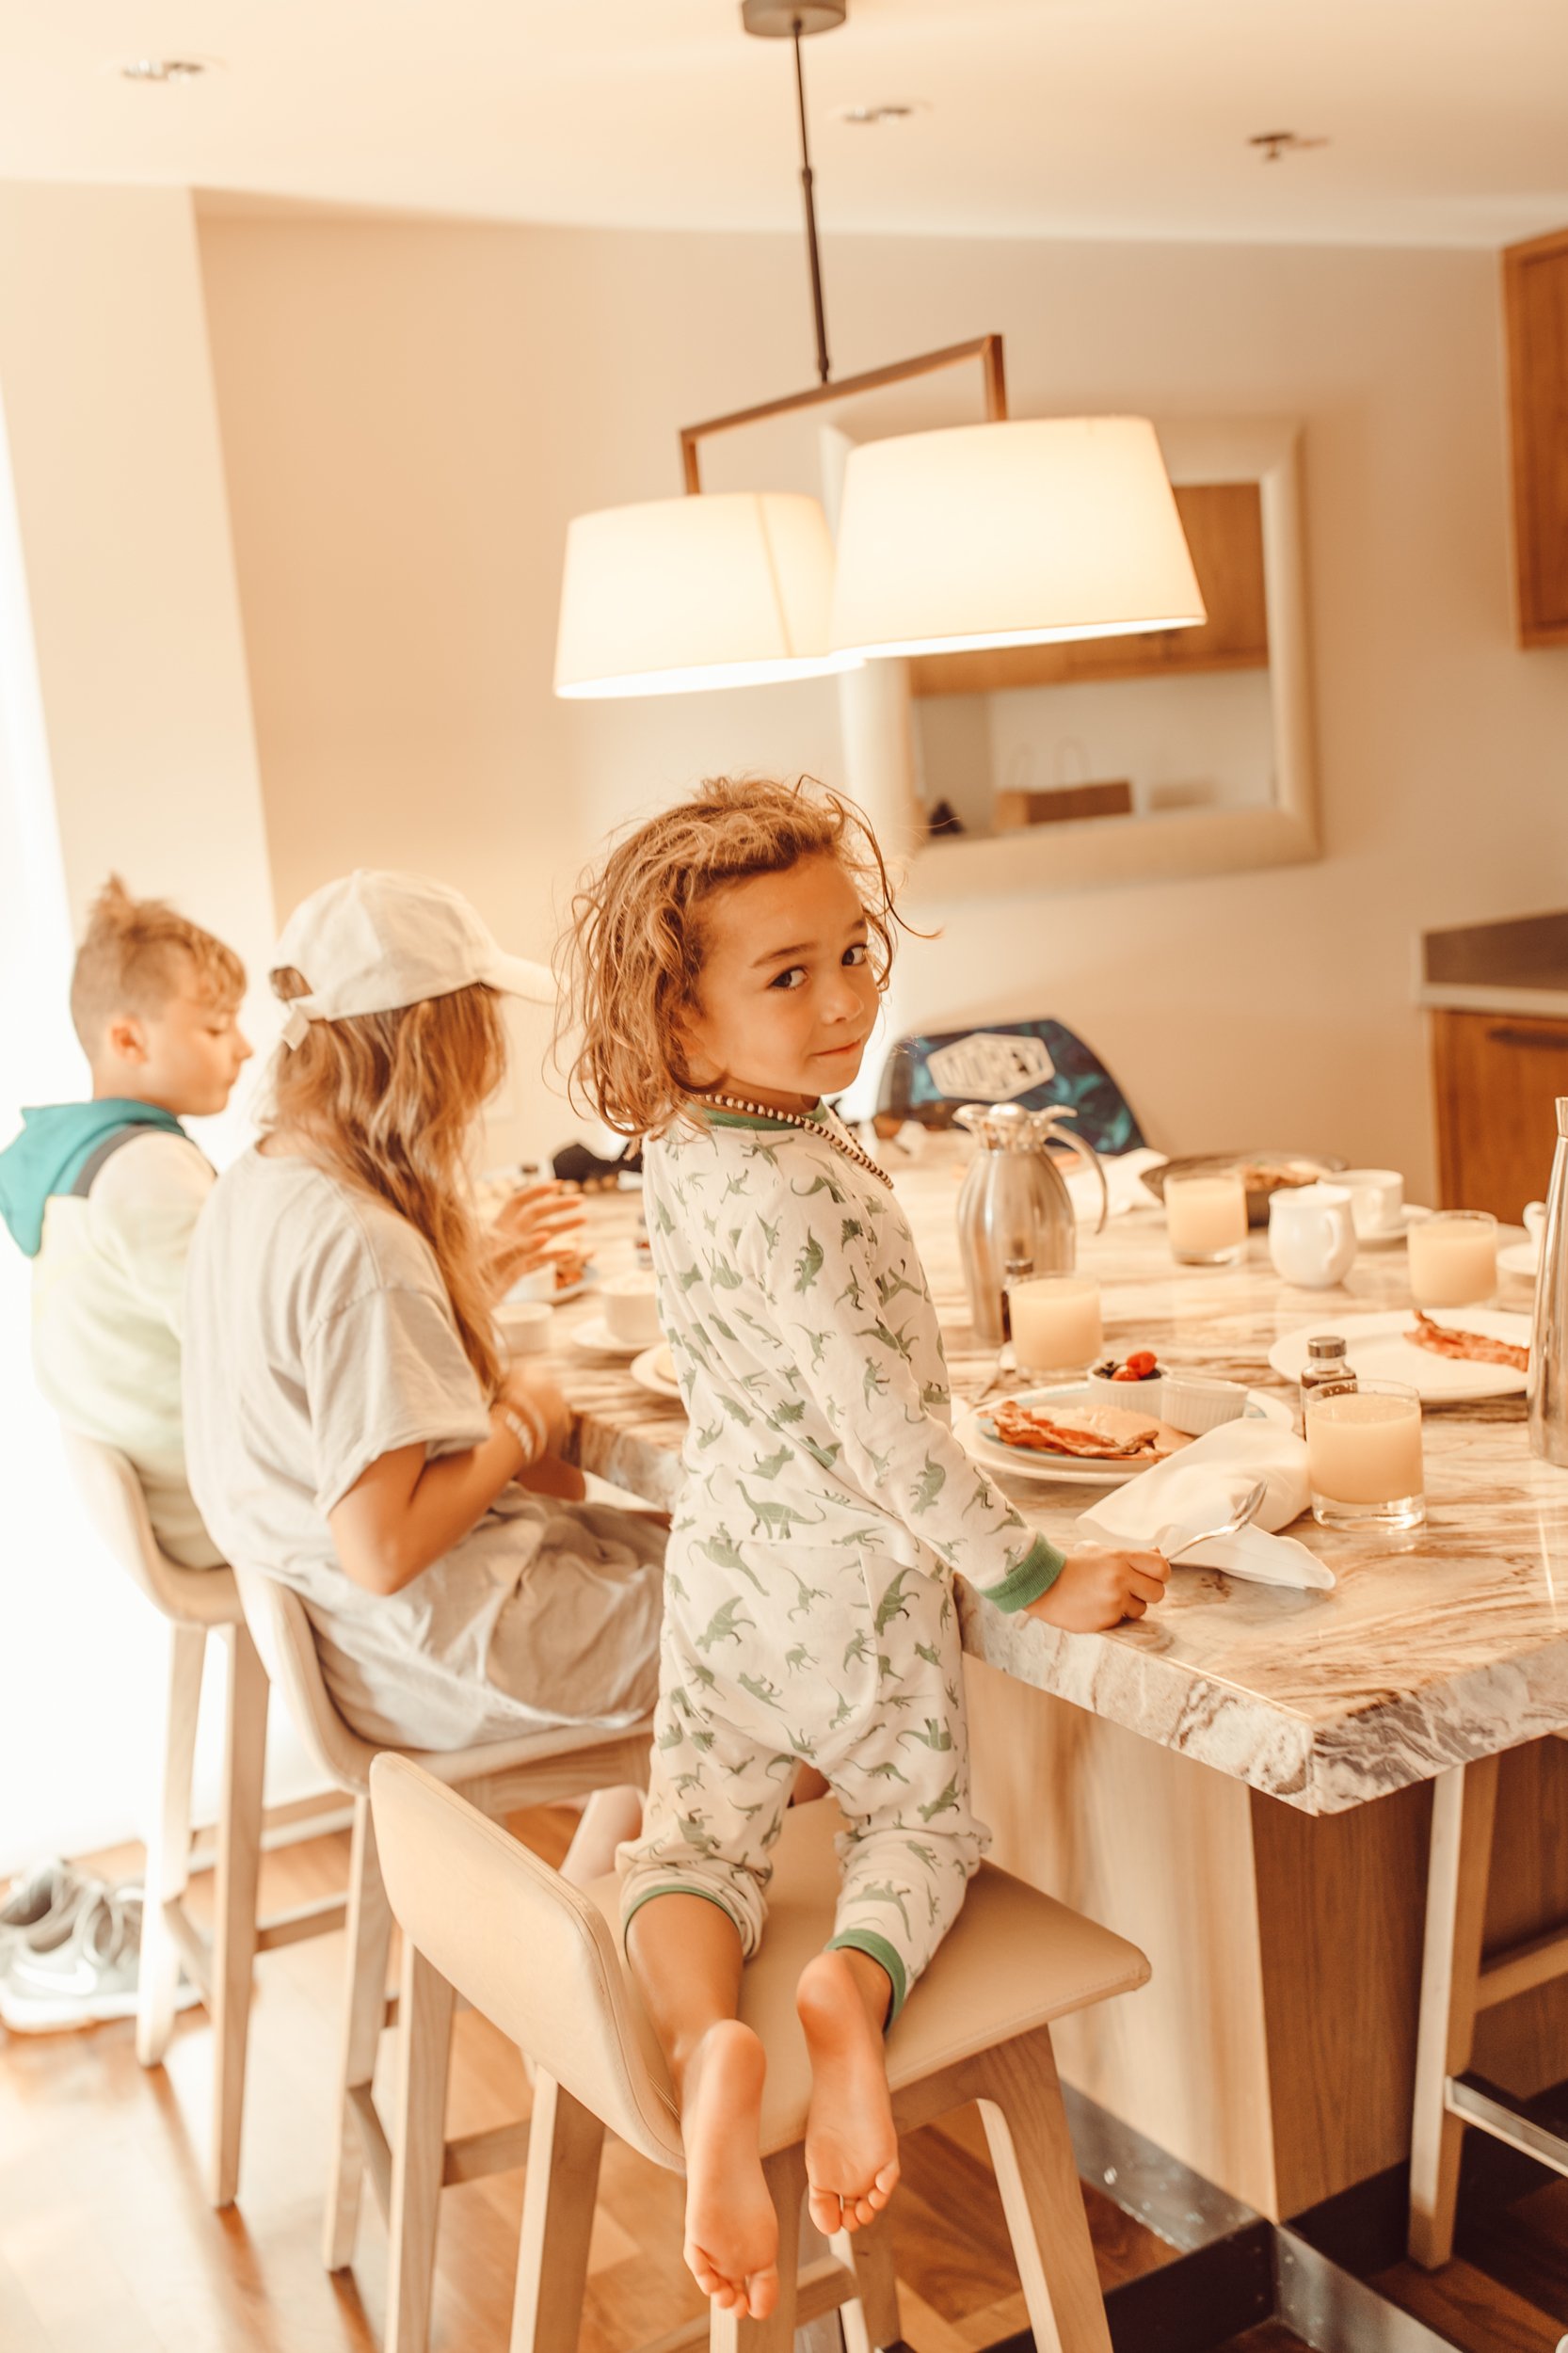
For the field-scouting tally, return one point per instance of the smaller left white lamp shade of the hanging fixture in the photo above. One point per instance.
(700, 592)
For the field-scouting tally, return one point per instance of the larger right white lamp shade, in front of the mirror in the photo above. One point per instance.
(1011, 535)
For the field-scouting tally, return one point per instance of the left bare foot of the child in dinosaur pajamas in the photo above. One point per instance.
(731, 2227)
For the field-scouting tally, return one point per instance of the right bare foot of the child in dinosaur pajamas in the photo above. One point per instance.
(851, 2147)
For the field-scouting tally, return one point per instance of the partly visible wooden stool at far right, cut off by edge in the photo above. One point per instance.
(1459, 1985)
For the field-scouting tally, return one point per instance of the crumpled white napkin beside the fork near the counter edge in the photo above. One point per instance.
(1207, 1484)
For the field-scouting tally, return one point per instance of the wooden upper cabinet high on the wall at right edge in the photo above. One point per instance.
(1536, 302)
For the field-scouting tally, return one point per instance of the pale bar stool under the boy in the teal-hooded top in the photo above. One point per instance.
(197, 1606)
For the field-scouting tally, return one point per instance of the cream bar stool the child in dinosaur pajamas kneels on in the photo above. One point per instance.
(486, 1921)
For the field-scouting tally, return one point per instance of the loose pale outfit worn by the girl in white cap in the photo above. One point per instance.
(319, 1338)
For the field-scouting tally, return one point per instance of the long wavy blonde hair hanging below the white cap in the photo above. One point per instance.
(387, 1102)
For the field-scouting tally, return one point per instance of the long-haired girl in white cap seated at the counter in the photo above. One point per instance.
(350, 1422)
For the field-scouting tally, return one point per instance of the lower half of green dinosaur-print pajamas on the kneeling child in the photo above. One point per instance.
(776, 1653)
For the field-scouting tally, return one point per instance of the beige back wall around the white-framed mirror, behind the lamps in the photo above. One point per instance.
(413, 413)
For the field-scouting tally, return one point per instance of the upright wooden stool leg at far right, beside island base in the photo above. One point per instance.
(1463, 1808)
